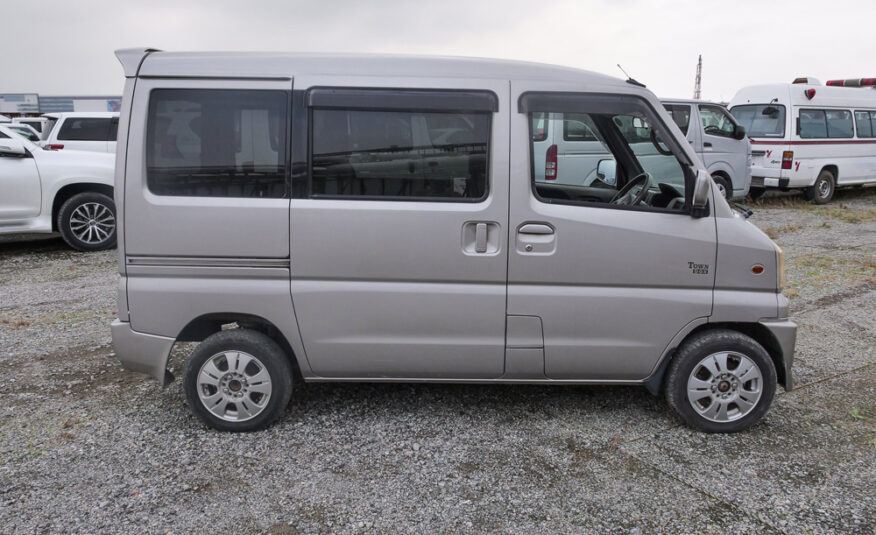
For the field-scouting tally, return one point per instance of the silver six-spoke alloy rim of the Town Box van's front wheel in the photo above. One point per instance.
(725, 386)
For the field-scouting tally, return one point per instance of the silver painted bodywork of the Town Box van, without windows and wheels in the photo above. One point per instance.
(371, 290)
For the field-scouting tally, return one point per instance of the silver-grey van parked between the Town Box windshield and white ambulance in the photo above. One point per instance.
(719, 141)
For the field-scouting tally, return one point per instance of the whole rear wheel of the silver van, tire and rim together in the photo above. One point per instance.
(238, 380)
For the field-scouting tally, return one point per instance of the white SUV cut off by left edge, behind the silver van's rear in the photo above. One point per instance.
(70, 192)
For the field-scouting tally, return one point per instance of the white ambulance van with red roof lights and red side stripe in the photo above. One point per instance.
(808, 135)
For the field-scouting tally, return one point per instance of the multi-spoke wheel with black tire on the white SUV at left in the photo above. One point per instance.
(102, 235)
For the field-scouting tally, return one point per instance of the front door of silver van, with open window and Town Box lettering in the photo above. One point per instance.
(613, 277)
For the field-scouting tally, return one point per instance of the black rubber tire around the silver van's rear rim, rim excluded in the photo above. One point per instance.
(268, 354)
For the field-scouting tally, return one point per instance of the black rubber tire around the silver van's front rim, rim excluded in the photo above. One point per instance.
(688, 359)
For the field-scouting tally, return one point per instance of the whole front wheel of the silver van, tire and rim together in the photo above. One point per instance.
(721, 381)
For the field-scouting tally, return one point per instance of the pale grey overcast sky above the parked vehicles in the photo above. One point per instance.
(64, 47)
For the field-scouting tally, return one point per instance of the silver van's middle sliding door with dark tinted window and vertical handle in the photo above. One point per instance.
(399, 243)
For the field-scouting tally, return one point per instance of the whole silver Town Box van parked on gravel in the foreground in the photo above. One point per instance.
(380, 218)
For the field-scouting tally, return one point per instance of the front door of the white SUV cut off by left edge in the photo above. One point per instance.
(20, 190)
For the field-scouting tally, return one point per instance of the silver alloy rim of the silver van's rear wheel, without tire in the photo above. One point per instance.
(234, 386)
